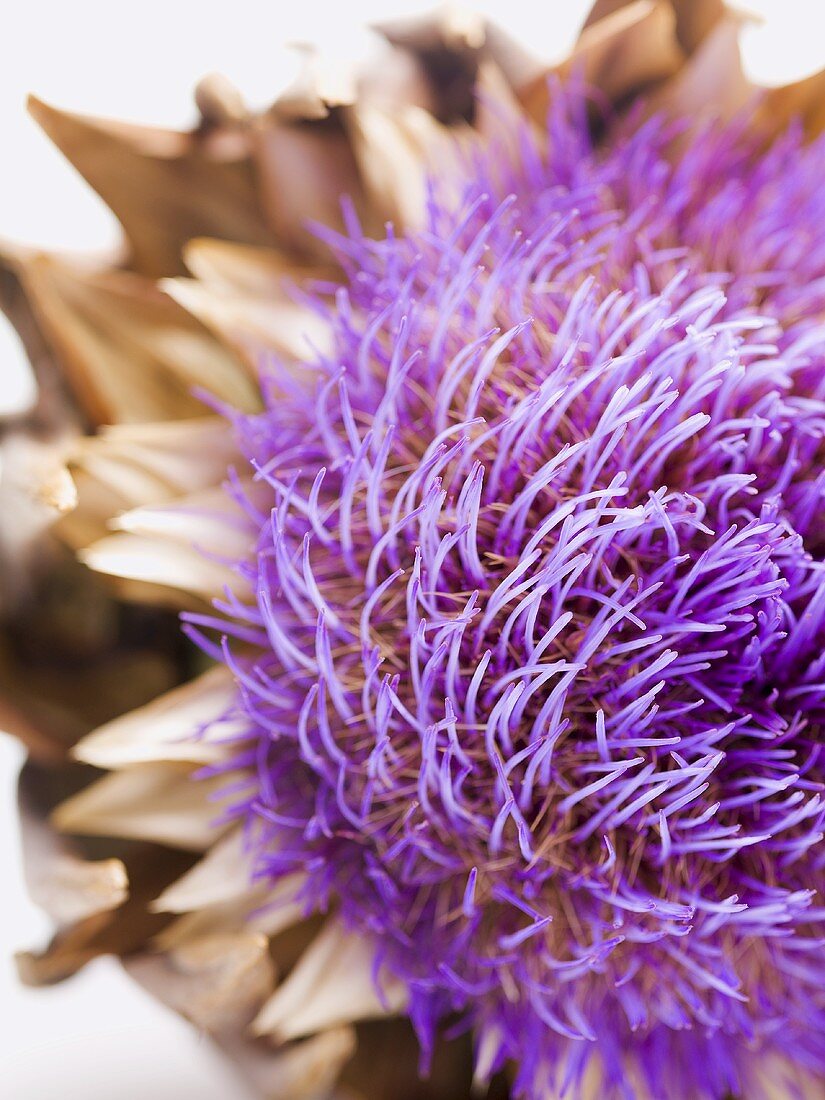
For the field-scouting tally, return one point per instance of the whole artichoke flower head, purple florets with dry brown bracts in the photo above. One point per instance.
(437, 709)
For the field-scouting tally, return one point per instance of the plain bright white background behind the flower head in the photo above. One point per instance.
(98, 1038)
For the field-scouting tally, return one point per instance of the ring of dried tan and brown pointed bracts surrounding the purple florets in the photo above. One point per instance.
(122, 464)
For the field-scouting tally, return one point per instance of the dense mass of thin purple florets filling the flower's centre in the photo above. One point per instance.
(534, 670)
